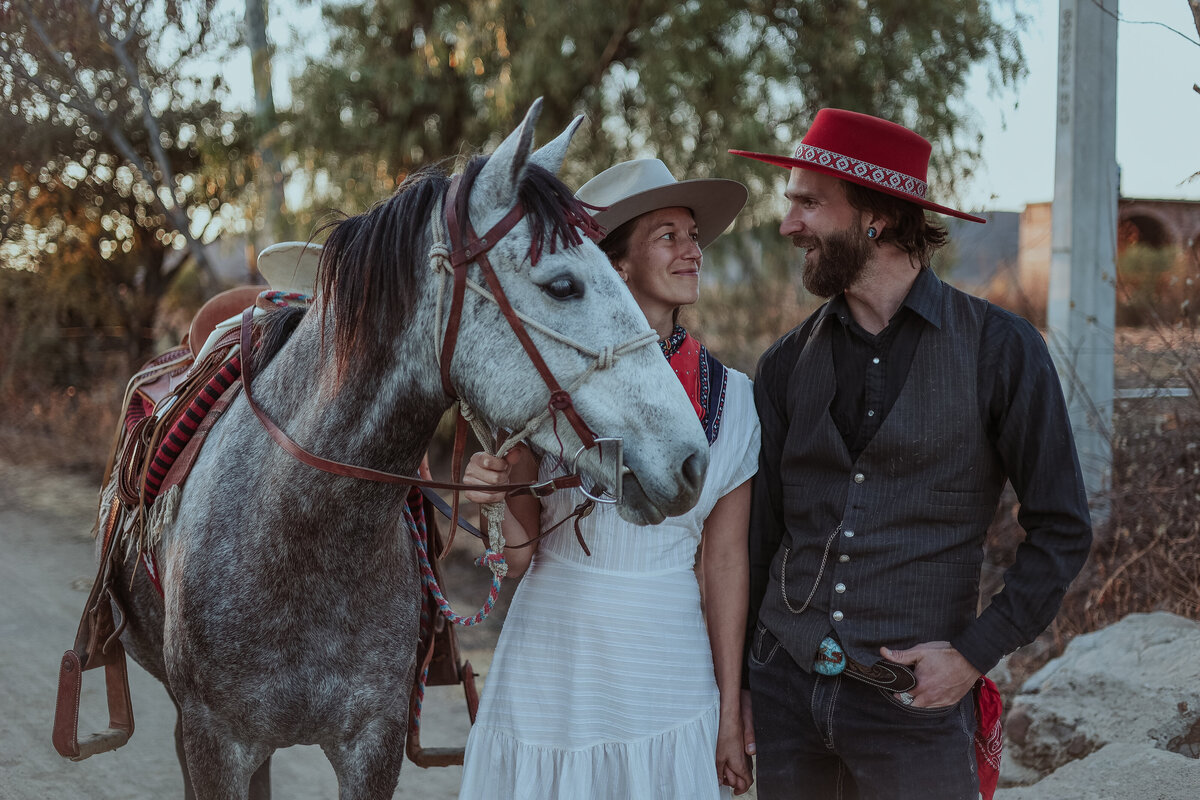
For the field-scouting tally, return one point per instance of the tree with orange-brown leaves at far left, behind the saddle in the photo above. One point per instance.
(107, 170)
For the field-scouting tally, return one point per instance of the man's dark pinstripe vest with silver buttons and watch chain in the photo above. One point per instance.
(896, 537)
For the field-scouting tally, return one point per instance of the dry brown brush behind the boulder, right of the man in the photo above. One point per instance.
(1147, 557)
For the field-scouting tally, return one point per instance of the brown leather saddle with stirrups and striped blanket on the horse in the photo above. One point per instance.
(170, 407)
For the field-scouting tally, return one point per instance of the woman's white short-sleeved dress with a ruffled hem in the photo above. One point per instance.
(603, 684)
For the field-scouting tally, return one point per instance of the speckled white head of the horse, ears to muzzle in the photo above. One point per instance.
(591, 333)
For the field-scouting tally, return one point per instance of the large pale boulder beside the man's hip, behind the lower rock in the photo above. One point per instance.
(1137, 682)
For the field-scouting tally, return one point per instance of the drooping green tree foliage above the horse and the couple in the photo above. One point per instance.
(407, 82)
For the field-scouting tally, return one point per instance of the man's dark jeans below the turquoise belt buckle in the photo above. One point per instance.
(837, 738)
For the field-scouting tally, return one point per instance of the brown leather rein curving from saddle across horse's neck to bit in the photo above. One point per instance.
(284, 441)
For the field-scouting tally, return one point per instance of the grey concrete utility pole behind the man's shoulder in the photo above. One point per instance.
(1082, 308)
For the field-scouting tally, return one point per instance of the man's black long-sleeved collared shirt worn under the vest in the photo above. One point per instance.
(1022, 406)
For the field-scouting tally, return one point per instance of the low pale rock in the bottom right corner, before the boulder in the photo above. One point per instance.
(1118, 772)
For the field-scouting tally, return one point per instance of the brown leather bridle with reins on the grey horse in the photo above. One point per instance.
(471, 249)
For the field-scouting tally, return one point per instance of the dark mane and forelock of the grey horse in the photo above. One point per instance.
(371, 262)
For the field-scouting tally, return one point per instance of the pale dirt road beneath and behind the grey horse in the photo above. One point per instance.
(46, 572)
